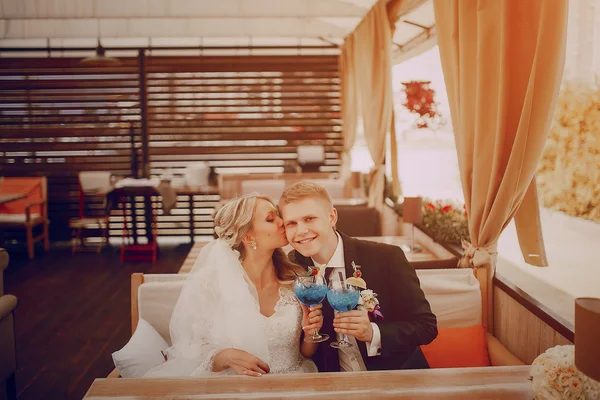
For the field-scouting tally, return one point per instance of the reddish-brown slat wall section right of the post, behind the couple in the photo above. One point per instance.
(239, 114)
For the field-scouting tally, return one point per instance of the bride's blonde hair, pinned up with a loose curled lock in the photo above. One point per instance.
(233, 222)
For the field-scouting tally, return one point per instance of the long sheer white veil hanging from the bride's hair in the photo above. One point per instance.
(217, 309)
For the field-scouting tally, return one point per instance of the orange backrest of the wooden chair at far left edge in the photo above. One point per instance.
(35, 189)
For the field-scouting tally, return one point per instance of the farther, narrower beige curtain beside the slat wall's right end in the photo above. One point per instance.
(369, 51)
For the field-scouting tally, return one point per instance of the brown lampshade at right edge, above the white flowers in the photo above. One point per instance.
(587, 336)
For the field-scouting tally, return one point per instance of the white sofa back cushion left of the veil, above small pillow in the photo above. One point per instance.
(156, 301)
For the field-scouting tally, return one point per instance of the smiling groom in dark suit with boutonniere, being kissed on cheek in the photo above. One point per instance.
(379, 344)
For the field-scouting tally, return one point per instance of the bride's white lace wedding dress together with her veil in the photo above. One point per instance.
(218, 309)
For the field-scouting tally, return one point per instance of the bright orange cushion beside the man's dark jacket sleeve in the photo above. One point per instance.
(458, 347)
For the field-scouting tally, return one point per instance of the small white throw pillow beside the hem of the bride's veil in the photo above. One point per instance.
(141, 353)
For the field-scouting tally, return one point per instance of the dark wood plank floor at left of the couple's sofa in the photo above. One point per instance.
(73, 312)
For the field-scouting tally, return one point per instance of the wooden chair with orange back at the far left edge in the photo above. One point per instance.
(29, 212)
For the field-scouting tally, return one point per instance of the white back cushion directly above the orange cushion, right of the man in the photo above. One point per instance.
(454, 296)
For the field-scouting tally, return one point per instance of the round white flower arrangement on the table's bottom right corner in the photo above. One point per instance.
(554, 376)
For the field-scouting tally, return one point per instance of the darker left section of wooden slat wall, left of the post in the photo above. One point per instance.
(58, 117)
